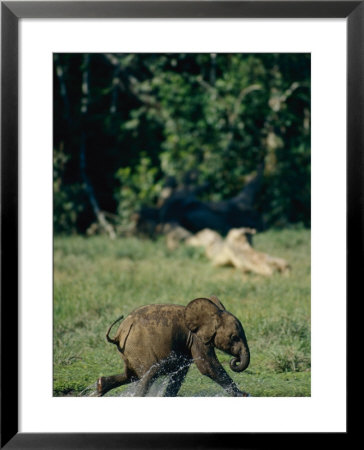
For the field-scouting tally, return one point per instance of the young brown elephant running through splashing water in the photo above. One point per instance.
(157, 340)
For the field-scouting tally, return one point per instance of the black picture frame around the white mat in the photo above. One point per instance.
(11, 12)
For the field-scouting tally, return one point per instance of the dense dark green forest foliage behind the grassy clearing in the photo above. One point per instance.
(137, 119)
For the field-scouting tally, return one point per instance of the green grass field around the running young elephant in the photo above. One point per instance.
(96, 280)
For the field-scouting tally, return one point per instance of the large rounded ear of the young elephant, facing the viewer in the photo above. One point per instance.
(202, 317)
